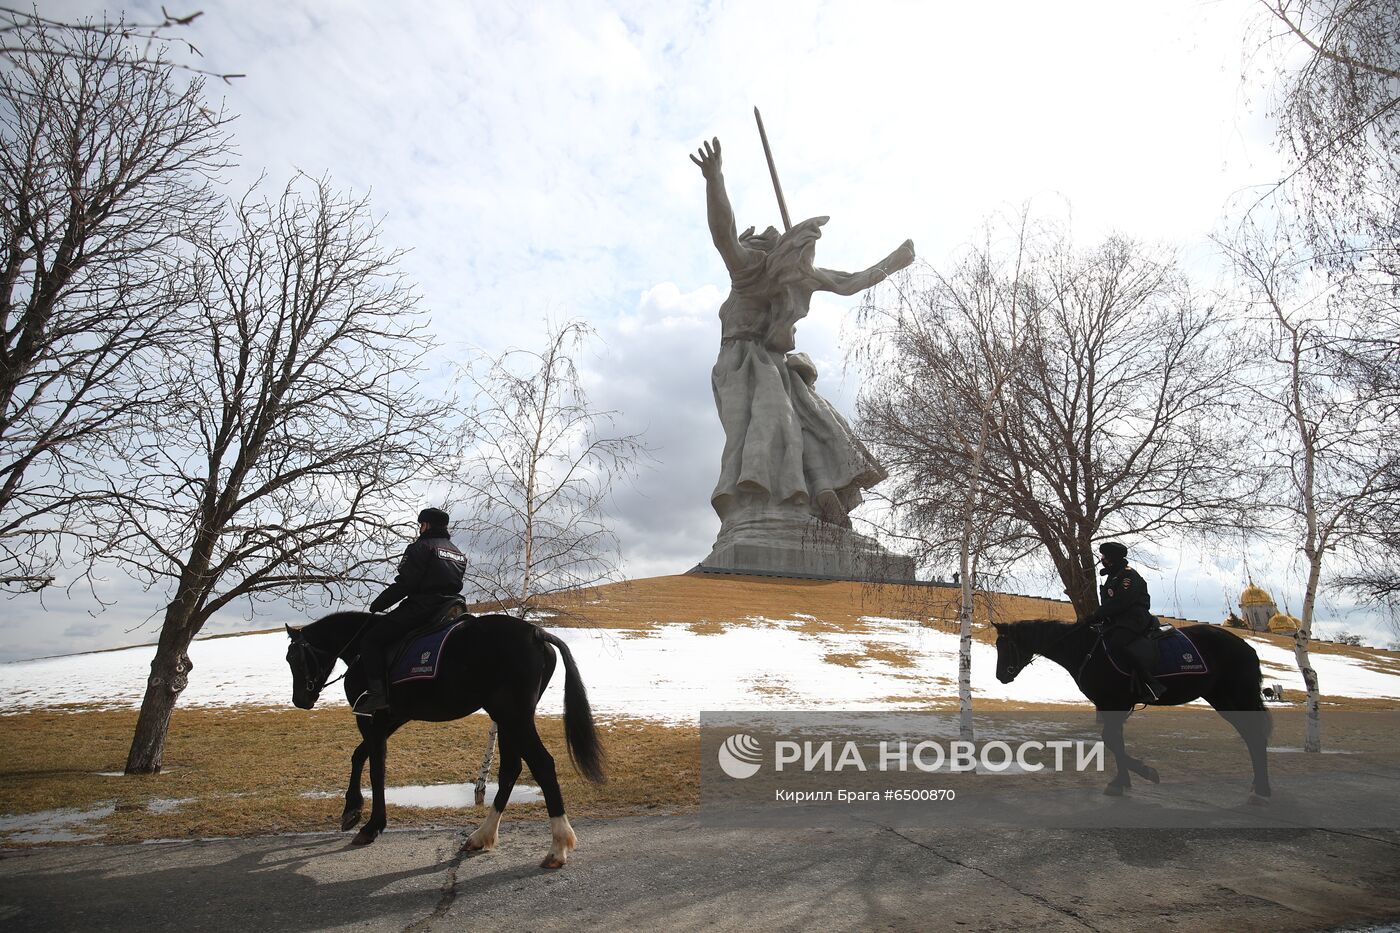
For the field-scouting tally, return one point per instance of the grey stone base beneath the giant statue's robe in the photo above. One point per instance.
(793, 543)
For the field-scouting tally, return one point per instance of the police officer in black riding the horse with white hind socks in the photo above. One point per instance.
(430, 574)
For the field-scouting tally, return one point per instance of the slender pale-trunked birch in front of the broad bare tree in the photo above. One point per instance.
(953, 344)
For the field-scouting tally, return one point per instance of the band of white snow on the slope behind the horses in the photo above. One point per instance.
(667, 673)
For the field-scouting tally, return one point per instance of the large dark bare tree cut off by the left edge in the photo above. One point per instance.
(104, 169)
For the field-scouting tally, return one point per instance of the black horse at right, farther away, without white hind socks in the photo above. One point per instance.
(1231, 686)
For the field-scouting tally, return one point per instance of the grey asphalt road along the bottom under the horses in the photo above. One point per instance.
(675, 873)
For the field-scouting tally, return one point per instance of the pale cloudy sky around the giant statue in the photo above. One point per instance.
(533, 158)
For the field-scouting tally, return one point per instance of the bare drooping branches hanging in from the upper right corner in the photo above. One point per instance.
(1338, 103)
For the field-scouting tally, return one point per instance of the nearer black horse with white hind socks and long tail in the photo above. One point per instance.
(496, 663)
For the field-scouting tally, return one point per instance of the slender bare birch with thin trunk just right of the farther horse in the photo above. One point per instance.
(1326, 455)
